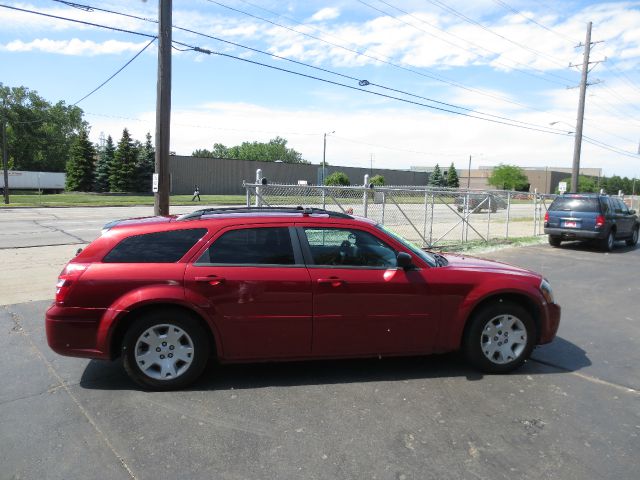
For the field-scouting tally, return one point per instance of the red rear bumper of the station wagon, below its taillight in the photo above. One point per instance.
(73, 332)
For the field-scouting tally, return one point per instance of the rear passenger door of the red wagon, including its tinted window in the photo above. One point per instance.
(253, 283)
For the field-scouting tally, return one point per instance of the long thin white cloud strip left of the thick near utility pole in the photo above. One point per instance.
(74, 47)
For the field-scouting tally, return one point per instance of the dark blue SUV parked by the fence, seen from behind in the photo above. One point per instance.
(589, 216)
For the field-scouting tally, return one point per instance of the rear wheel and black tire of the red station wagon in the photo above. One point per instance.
(185, 337)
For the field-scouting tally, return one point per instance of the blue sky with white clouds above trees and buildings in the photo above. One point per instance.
(501, 60)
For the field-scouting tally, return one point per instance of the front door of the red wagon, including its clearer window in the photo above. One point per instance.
(362, 303)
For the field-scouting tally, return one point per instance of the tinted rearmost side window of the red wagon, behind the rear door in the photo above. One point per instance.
(160, 247)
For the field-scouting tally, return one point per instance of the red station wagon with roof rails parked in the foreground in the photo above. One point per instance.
(268, 284)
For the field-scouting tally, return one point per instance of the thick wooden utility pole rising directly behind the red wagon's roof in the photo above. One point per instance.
(163, 108)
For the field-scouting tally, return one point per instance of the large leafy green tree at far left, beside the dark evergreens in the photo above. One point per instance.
(39, 134)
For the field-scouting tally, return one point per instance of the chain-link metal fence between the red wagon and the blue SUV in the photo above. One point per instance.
(426, 216)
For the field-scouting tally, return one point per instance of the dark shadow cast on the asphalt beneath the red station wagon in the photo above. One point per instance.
(561, 356)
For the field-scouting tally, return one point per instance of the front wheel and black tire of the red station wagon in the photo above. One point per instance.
(510, 346)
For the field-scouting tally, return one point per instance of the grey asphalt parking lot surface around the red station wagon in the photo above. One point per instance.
(572, 412)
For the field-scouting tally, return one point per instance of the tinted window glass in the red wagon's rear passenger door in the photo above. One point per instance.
(251, 246)
